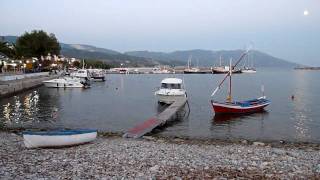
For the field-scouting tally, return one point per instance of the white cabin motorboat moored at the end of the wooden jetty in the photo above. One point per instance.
(171, 90)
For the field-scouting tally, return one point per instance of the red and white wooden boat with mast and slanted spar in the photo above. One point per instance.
(237, 107)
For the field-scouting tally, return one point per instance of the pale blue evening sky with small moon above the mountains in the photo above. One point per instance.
(288, 29)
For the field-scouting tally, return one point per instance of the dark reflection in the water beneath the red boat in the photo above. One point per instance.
(222, 119)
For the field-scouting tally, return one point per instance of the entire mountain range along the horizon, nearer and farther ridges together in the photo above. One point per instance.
(148, 58)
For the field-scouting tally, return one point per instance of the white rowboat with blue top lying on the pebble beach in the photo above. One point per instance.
(58, 138)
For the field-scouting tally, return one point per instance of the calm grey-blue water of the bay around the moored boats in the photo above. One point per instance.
(124, 100)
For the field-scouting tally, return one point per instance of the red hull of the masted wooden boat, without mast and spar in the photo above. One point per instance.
(244, 107)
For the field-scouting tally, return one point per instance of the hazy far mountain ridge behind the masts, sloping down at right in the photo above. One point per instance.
(210, 58)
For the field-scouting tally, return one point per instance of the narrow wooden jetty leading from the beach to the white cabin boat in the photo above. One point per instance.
(160, 119)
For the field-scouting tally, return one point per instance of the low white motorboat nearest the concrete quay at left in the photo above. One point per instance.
(66, 82)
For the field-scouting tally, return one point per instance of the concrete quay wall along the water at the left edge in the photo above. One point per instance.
(10, 87)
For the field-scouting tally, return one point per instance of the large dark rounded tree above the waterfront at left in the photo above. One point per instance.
(37, 44)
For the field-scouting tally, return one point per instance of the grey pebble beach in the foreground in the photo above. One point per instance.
(115, 157)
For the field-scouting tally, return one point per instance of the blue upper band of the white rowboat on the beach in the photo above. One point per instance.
(59, 132)
